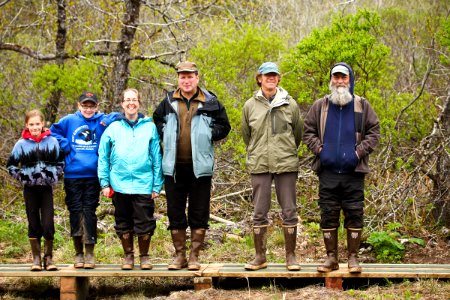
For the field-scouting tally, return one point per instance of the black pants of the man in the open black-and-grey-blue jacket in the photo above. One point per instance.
(185, 187)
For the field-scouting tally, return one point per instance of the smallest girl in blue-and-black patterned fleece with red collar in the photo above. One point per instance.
(36, 161)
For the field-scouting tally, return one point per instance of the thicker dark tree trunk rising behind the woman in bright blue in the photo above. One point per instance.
(122, 53)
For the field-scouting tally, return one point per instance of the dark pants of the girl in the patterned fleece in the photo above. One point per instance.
(39, 208)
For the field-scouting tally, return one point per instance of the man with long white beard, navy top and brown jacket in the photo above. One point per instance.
(341, 129)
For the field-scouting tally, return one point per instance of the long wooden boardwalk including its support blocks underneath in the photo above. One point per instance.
(74, 283)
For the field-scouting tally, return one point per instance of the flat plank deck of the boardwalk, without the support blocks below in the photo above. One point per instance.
(235, 270)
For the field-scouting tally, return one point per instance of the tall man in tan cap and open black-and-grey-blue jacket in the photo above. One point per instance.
(188, 121)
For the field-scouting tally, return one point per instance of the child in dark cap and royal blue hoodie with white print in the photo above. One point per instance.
(79, 135)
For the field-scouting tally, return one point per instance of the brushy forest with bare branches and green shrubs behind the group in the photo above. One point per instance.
(51, 51)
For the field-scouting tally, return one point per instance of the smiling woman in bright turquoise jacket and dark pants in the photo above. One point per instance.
(129, 166)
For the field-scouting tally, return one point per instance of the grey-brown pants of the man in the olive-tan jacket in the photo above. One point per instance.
(286, 196)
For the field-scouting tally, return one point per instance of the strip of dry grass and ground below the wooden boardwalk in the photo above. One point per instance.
(174, 289)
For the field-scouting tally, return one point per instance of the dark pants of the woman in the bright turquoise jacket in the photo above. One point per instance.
(134, 213)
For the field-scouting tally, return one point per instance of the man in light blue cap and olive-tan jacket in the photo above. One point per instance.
(272, 131)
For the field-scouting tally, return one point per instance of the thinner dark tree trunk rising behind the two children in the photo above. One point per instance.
(52, 106)
